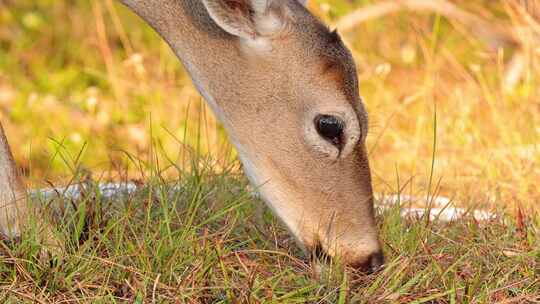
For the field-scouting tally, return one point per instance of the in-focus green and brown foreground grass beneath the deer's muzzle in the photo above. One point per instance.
(196, 240)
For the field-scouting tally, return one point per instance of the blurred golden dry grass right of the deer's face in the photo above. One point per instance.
(485, 141)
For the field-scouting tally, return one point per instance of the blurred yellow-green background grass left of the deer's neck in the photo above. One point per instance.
(69, 73)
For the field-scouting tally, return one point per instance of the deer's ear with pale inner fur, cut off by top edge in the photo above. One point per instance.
(245, 18)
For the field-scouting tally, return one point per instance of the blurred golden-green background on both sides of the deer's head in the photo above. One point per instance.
(451, 88)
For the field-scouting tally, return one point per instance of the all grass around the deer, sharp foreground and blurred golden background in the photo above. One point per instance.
(85, 85)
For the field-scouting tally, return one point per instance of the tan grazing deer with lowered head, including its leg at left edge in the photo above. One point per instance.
(285, 88)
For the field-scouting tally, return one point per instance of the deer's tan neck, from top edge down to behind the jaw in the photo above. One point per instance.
(206, 51)
